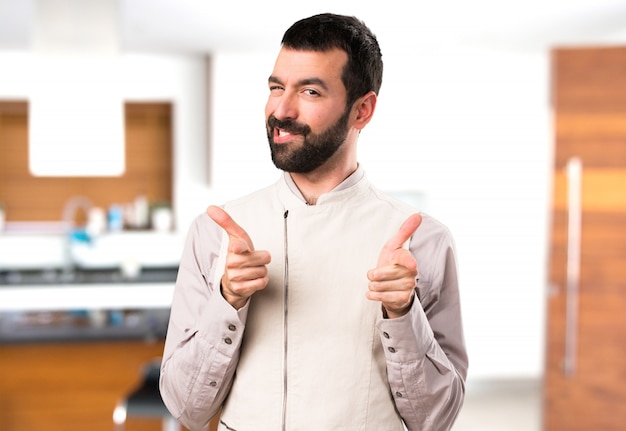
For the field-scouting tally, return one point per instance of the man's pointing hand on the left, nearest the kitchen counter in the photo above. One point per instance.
(245, 271)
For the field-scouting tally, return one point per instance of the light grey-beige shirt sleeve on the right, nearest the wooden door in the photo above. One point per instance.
(425, 349)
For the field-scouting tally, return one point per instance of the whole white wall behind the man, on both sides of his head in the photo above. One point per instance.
(468, 128)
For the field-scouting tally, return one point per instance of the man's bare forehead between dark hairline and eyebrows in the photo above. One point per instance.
(296, 65)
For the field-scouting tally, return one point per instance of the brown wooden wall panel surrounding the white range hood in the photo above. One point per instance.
(148, 166)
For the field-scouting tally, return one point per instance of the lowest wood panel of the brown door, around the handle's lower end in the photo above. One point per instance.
(588, 400)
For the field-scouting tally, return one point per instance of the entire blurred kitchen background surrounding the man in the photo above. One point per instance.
(164, 101)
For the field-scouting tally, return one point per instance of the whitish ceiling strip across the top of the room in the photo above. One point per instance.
(205, 26)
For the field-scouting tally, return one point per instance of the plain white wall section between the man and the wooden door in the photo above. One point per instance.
(472, 129)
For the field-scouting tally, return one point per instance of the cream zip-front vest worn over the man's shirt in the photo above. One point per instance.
(311, 356)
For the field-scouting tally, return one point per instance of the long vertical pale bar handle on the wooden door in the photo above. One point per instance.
(574, 230)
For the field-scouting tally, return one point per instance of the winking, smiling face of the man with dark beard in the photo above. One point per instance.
(306, 113)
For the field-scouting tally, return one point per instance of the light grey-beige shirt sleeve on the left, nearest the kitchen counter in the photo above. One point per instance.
(204, 334)
